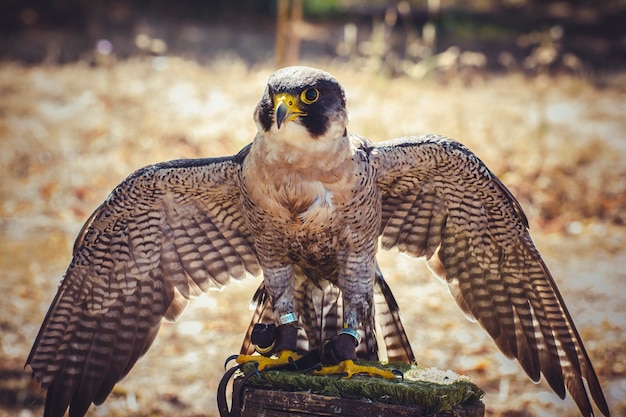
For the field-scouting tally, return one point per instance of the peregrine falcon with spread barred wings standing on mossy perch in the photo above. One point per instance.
(305, 205)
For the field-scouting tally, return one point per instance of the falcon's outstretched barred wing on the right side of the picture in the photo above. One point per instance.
(440, 201)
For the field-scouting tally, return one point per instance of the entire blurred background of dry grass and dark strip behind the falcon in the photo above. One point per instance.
(91, 91)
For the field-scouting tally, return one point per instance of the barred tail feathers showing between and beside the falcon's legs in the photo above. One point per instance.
(320, 315)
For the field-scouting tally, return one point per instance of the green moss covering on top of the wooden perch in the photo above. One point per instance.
(431, 390)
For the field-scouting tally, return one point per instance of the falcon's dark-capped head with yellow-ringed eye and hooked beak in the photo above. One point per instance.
(302, 103)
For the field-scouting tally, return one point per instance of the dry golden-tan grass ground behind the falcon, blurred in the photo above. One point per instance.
(70, 134)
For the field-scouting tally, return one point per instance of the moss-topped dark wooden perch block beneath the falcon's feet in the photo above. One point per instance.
(282, 394)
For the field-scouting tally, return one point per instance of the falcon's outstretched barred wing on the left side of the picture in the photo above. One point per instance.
(168, 232)
